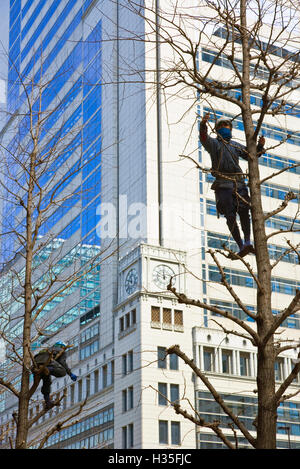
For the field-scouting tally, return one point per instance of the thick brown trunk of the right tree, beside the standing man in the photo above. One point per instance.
(267, 415)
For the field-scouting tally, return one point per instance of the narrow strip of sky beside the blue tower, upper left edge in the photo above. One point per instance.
(4, 26)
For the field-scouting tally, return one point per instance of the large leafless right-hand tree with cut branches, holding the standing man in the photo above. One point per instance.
(253, 64)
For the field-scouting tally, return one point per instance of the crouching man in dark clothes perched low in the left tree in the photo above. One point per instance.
(52, 362)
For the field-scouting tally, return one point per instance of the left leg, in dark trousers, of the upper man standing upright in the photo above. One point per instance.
(227, 206)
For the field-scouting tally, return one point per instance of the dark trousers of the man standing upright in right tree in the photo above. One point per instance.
(229, 204)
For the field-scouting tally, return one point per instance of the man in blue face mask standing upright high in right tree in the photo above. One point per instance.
(230, 189)
